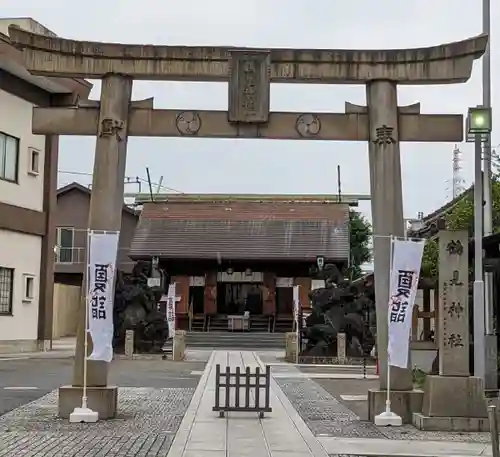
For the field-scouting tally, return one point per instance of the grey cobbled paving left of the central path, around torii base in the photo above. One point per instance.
(146, 424)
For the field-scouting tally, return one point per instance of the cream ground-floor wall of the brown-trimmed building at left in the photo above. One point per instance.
(18, 332)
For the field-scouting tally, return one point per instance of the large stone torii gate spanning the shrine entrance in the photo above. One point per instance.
(249, 73)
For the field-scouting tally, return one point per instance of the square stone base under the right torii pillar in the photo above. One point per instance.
(403, 402)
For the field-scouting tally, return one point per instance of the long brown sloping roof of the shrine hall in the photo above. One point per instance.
(246, 230)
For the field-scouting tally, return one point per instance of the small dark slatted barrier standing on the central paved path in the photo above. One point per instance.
(251, 385)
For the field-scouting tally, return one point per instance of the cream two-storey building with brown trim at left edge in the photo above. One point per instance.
(28, 180)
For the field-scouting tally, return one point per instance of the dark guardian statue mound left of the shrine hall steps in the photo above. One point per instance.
(136, 308)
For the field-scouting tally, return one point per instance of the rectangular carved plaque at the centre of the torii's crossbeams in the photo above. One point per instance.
(249, 87)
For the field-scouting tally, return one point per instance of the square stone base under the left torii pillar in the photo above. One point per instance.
(104, 400)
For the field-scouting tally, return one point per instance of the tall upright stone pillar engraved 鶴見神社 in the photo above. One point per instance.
(453, 335)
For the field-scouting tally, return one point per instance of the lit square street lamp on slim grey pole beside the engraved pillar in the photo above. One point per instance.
(478, 127)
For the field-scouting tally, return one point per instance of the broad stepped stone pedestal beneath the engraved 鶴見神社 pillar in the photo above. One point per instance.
(453, 403)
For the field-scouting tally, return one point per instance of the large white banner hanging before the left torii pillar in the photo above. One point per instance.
(102, 252)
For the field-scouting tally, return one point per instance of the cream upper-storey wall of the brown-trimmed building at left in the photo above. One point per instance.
(15, 120)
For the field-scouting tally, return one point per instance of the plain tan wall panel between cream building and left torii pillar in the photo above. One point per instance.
(66, 301)
